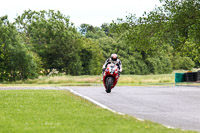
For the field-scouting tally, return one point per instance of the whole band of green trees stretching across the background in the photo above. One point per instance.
(164, 39)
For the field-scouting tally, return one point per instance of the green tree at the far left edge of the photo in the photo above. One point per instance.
(17, 61)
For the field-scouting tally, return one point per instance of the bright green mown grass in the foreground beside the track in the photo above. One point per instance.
(35, 111)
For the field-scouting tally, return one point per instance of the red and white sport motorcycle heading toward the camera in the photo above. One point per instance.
(110, 77)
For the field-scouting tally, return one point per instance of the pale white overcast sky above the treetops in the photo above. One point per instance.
(94, 12)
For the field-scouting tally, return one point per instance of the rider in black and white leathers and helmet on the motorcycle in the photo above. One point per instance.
(113, 59)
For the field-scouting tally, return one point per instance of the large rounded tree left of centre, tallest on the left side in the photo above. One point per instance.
(54, 39)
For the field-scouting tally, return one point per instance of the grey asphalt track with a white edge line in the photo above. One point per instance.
(175, 106)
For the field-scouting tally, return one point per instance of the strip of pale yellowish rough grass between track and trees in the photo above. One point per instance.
(128, 80)
